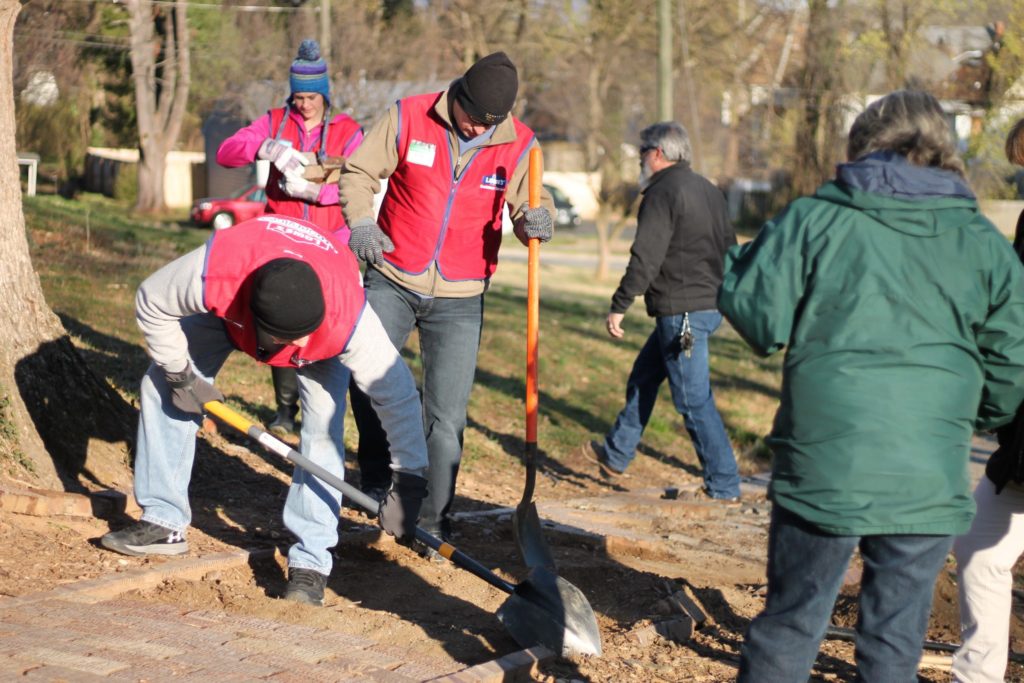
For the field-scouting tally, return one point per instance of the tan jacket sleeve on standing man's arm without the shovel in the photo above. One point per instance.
(376, 158)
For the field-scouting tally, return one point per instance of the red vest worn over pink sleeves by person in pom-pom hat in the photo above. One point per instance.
(340, 134)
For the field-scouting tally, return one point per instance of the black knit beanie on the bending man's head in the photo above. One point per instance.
(287, 300)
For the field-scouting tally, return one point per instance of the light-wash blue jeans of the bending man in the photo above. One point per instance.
(166, 447)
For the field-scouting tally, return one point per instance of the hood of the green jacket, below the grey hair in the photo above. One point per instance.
(915, 200)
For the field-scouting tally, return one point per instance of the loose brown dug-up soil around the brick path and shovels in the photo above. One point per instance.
(388, 593)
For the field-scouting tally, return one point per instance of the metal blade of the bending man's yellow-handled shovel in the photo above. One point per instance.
(546, 610)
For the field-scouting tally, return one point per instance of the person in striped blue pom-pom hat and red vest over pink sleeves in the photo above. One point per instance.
(288, 138)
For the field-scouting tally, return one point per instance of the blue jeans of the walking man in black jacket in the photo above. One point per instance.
(690, 380)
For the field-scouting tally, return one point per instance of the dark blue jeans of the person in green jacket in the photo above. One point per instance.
(805, 573)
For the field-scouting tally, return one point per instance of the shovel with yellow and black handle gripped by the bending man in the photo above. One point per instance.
(544, 610)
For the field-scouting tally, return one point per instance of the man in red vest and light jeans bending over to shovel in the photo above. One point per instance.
(289, 296)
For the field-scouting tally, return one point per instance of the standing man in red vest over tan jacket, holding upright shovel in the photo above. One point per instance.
(453, 160)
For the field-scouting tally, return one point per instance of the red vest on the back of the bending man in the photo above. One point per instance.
(234, 254)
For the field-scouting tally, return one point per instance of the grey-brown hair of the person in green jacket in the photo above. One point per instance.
(911, 123)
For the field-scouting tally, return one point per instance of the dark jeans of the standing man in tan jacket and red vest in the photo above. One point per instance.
(450, 338)
